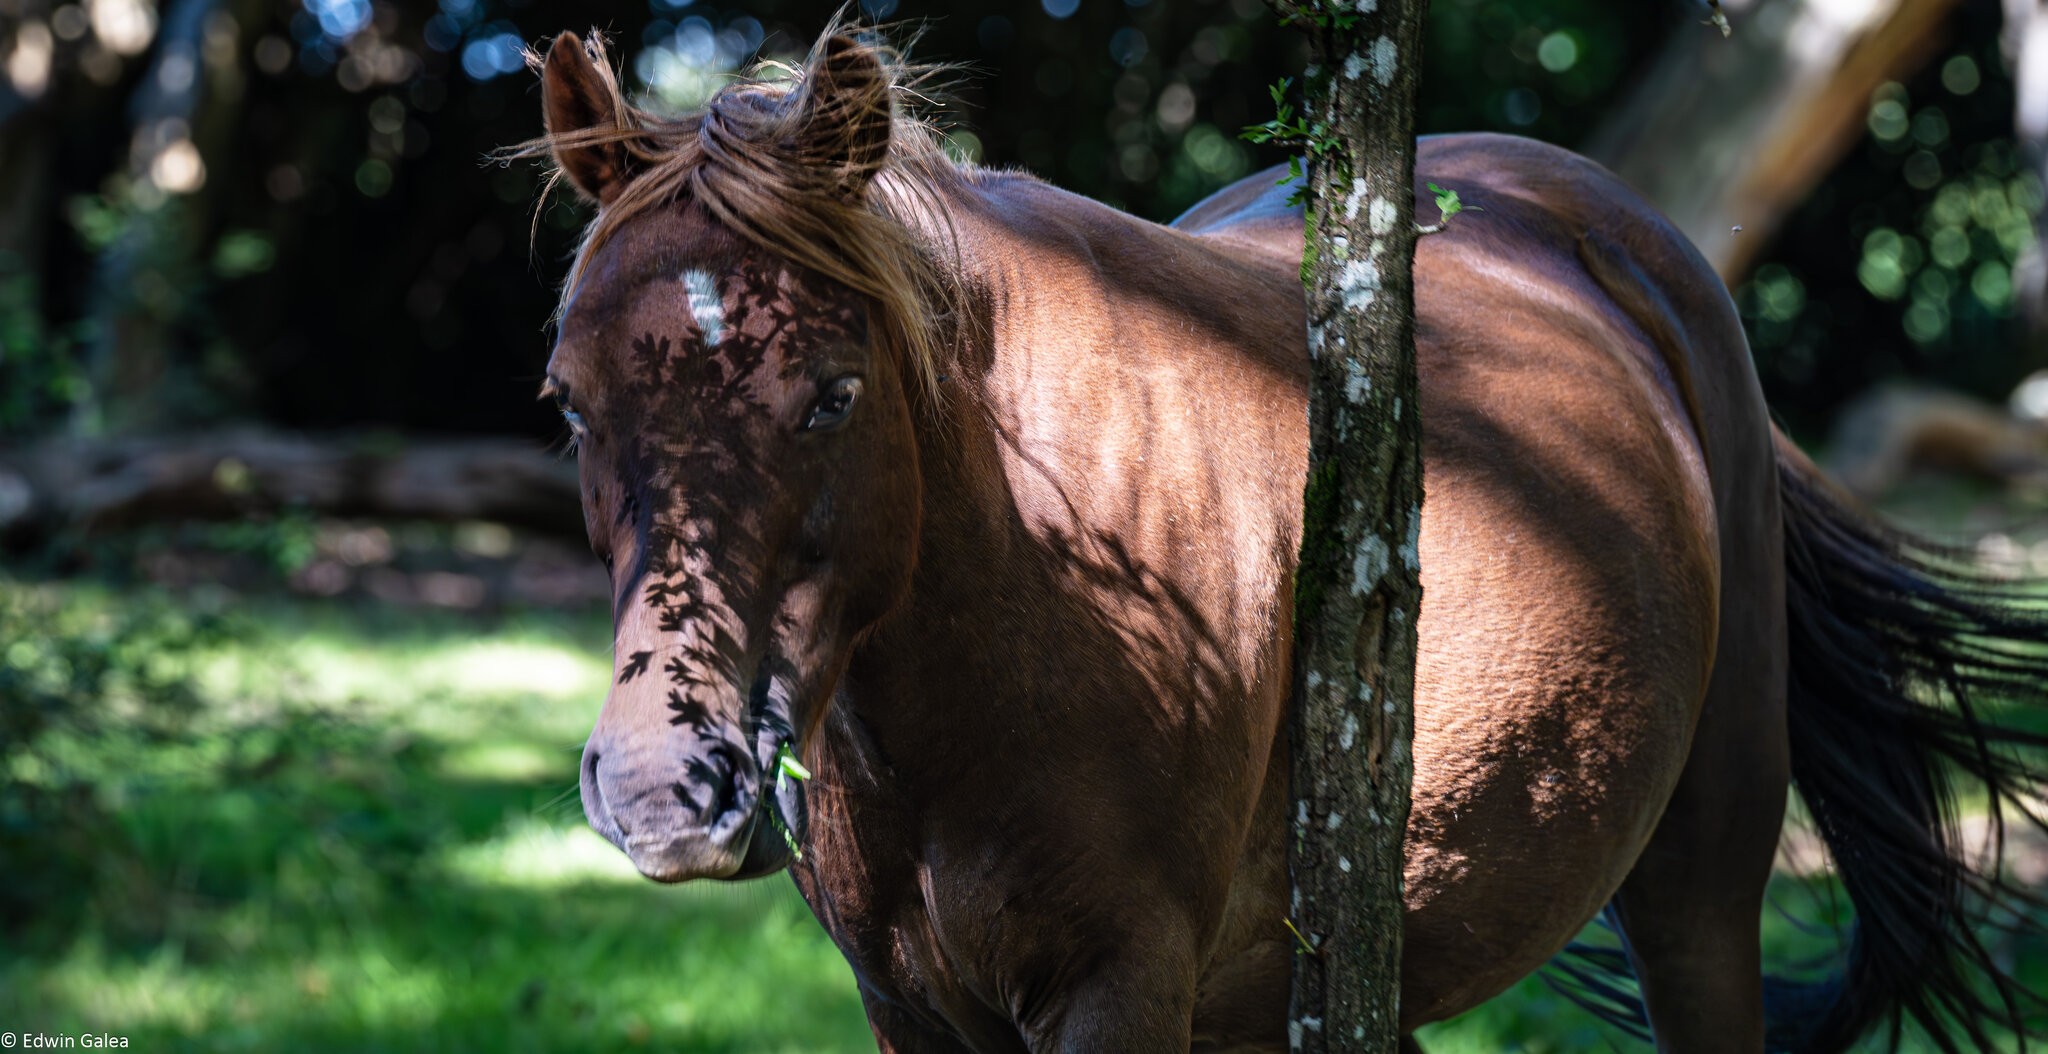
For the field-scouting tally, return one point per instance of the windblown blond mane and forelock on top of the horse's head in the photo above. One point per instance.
(742, 161)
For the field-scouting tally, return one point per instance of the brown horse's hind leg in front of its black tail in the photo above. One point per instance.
(1693, 904)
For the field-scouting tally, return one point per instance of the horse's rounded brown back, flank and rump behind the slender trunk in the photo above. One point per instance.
(1580, 378)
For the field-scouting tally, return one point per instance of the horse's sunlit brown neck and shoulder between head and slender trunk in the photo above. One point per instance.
(1109, 492)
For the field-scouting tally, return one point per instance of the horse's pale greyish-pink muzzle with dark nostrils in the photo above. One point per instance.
(677, 820)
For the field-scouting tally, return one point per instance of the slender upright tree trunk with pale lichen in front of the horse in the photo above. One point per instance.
(1357, 592)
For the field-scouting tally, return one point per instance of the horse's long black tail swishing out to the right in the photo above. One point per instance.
(1908, 666)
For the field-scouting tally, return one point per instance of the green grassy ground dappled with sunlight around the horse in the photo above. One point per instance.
(366, 836)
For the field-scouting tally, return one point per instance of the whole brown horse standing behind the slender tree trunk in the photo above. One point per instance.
(984, 500)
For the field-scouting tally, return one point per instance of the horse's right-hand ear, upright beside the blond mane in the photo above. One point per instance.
(843, 114)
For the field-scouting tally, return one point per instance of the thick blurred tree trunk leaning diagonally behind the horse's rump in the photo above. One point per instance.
(1736, 132)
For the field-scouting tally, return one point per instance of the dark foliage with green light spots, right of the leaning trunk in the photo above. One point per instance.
(1902, 261)
